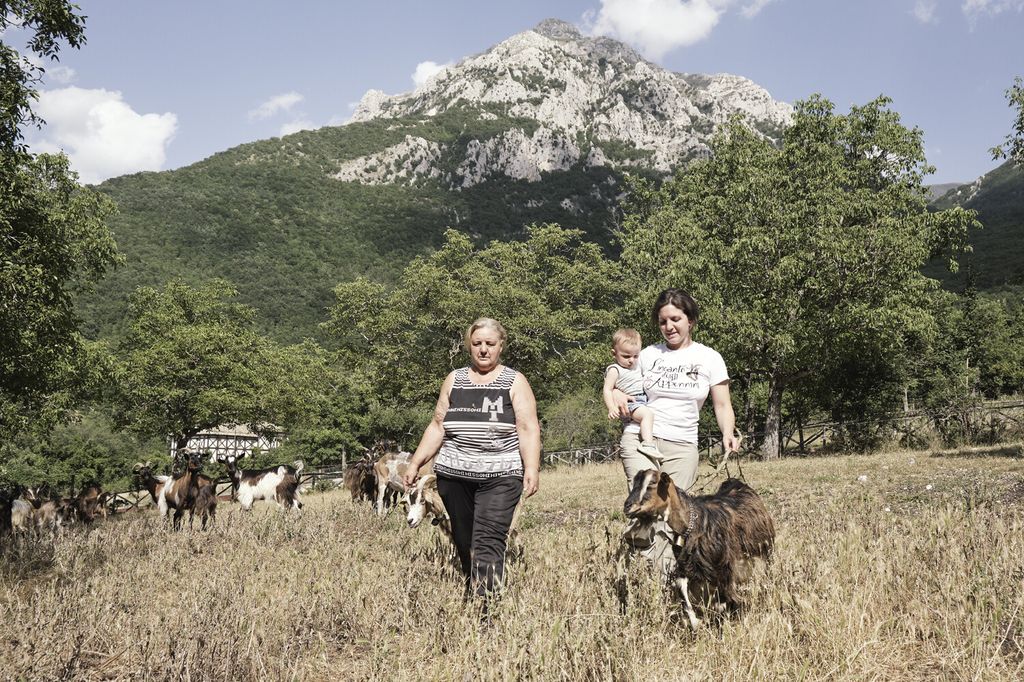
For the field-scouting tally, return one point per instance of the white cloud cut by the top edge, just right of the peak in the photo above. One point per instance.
(658, 27)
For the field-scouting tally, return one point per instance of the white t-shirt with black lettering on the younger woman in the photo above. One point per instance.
(677, 383)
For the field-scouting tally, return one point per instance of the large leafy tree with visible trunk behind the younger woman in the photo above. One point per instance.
(803, 258)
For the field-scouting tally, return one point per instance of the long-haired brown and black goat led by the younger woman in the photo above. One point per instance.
(716, 538)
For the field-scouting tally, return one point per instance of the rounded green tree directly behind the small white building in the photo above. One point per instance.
(193, 361)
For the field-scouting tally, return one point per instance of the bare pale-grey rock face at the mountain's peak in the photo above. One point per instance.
(589, 102)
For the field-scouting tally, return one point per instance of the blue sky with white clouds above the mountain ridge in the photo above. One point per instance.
(161, 86)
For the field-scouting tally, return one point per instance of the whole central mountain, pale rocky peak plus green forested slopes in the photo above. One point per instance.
(540, 129)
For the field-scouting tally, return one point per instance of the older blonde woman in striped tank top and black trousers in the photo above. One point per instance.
(487, 438)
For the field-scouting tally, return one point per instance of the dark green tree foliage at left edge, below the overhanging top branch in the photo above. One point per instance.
(55, 245)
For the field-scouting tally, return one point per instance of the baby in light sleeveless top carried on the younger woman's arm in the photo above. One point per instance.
(625, 375)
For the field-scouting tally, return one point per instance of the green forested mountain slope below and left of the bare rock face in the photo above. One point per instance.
(270, 218)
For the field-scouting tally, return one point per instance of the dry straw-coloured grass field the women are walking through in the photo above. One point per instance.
(917, 573)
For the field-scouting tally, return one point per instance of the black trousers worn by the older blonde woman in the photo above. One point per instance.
(482, 515)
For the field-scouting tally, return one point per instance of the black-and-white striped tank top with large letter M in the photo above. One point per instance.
(481, 440)
